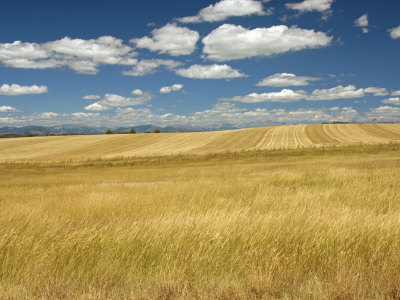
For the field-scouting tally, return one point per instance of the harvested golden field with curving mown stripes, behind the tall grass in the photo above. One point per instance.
(265, 138)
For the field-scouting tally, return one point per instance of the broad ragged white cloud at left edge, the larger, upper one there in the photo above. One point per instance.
(82, 56)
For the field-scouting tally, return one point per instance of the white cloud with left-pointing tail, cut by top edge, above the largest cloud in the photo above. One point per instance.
(225, 9)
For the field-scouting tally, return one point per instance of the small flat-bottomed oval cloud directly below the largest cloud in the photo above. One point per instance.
(210, 72)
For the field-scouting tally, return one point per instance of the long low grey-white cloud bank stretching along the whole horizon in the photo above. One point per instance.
(218, 115)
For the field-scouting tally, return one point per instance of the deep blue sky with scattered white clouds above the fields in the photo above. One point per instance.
(208, 64)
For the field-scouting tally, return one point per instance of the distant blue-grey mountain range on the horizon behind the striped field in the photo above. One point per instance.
(73, 129)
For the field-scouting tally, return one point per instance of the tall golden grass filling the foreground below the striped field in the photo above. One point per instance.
(305, 224)
